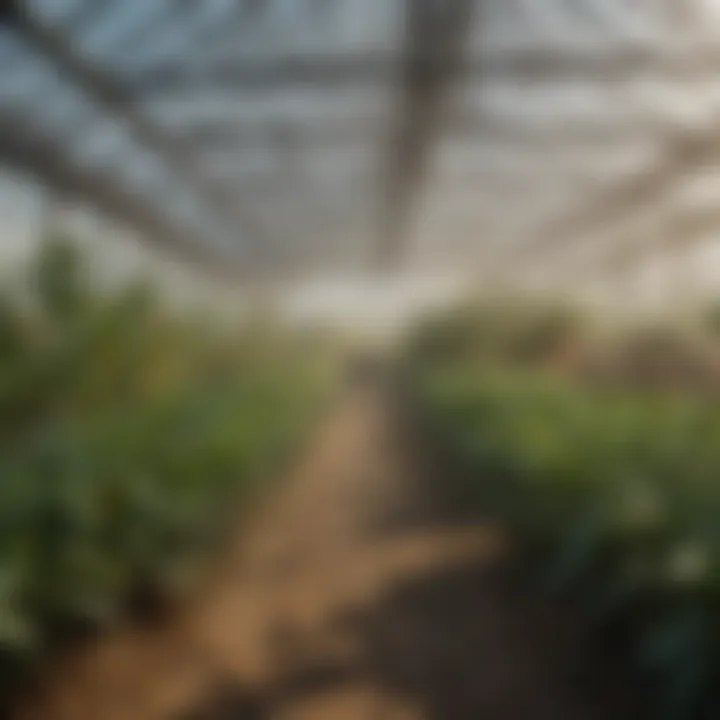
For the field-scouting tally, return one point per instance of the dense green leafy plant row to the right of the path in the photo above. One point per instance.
(614, 485)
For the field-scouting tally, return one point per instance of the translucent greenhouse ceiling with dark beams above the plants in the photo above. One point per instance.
(277, 135)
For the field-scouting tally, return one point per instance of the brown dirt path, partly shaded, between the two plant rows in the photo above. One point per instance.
(352, 597)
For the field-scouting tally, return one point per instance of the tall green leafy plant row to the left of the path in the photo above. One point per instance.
(129, 440)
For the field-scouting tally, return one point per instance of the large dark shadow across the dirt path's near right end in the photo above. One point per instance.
(455, 644)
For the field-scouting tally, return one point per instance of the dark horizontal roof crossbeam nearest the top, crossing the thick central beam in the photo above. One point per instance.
(338, 71)
